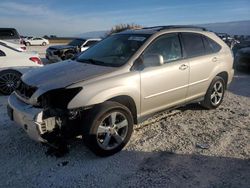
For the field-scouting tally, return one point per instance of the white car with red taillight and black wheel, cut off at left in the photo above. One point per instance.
(13, 64)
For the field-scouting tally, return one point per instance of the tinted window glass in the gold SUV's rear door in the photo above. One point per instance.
(193, 44)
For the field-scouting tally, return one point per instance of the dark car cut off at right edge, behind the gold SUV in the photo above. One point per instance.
(242, 58)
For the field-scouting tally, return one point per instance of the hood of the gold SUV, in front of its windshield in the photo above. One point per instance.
(62, 74)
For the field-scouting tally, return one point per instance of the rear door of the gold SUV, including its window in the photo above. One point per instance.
(202, 60)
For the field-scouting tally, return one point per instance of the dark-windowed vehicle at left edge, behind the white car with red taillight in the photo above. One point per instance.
(10, 35)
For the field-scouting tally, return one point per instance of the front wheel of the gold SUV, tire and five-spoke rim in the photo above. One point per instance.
(109, 140)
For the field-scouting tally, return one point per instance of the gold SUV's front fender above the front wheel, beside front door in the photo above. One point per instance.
(101, 91)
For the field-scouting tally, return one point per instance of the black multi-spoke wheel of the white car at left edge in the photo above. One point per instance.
(8, 81)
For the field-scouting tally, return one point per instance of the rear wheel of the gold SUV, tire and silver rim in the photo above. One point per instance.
(215, 93)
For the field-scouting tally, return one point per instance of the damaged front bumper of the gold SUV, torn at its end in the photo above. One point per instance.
(26, 116)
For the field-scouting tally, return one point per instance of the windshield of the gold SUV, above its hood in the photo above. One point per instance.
(114, 50)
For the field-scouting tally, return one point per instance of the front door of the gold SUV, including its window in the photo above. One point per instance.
(164, 85)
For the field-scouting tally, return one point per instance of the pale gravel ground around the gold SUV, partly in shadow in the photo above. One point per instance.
(188, 147)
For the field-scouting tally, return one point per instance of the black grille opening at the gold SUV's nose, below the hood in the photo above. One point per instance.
(25, 90)
